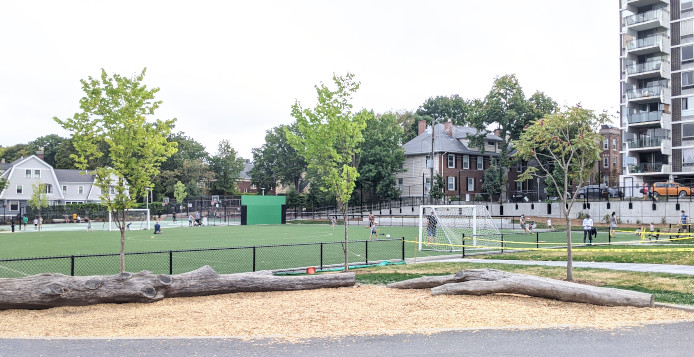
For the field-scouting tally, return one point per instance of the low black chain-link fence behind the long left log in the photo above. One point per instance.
(223, 260)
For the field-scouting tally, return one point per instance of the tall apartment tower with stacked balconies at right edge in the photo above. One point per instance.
(657, 91)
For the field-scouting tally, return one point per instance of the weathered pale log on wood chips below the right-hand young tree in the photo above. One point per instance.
(491, 281)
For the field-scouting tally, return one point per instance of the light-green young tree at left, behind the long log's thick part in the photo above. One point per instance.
(114, 112)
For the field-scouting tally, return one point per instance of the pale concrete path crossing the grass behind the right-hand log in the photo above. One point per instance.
(638, 267)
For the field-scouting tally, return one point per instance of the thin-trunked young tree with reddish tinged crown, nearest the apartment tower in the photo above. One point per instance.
(570, 141)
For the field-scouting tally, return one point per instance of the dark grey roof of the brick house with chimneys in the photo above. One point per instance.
(443, 142)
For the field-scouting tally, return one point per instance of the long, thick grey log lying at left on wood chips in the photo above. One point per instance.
(51, 290)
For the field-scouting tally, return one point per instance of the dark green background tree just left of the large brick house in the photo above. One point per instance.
(381, 158)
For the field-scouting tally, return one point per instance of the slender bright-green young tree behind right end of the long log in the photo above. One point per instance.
(329, 142)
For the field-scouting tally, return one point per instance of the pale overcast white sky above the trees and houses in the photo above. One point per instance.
(233, 69)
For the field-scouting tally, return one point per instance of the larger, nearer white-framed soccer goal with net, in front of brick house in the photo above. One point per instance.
(443, 227)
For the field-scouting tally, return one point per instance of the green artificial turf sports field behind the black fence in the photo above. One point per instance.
(283, 251)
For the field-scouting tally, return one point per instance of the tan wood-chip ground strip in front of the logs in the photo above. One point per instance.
(363, 309)
